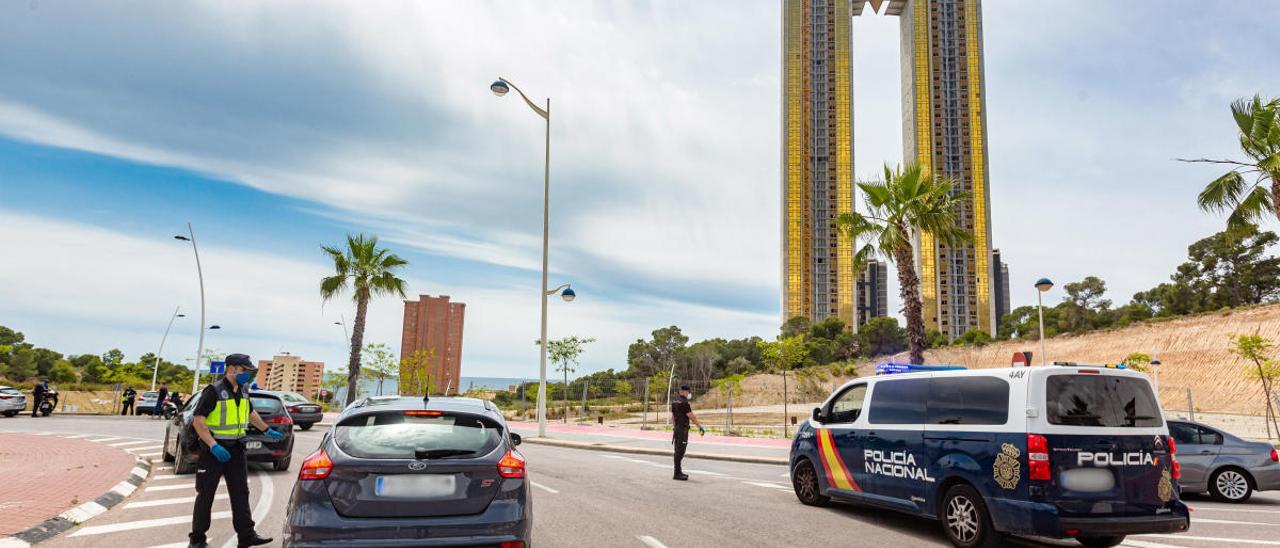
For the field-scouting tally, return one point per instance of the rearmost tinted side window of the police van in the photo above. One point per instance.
(968, 400)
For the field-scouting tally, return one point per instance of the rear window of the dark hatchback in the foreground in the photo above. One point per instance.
(400, 436)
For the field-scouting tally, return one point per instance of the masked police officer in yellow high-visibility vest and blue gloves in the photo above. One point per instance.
(221, 421)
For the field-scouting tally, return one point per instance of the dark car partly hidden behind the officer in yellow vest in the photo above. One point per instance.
(182, 445)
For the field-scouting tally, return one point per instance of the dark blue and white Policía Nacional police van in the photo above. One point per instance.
(1064, 451)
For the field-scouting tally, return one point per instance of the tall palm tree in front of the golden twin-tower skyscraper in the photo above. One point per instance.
(898, 209)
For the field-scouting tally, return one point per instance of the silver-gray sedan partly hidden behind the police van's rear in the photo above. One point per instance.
(1228, 468)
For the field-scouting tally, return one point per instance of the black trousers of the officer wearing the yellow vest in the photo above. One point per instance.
(209, 472)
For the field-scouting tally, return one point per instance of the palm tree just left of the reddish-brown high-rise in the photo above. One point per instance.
(371, 272)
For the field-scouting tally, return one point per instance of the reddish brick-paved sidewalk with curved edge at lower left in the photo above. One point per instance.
(45, 476)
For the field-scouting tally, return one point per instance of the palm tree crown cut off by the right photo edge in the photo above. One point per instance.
(1249, 203)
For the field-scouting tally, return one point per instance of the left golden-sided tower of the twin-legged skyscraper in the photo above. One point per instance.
(817, 159)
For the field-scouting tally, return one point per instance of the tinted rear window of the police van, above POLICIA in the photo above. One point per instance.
(1109, 401)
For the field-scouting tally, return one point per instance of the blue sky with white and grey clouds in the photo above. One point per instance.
(278, 127)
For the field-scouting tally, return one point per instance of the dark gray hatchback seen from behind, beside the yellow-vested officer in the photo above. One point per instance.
(399, 472)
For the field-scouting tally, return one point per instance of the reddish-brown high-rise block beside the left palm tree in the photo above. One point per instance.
(432, 345)
